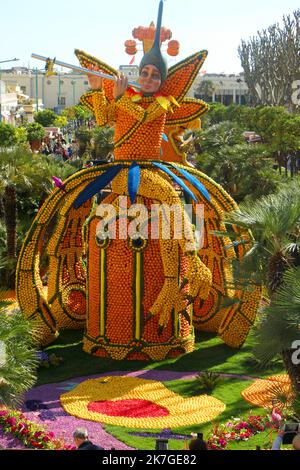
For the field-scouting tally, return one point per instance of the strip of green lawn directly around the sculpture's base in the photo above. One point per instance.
(210, 354)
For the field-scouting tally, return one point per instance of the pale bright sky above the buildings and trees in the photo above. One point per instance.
(56, 27)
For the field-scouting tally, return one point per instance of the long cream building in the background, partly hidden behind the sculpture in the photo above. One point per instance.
(36, 91)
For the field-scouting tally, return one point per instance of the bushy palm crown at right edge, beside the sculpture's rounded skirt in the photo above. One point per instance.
(274, 222)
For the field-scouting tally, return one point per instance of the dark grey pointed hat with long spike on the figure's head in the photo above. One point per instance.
(154, 56)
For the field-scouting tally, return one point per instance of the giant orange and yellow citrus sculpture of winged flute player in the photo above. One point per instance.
(136, 296)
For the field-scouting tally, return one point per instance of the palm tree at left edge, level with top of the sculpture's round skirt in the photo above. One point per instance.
(30, 177)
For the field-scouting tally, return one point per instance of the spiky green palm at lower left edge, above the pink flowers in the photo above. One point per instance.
(18, 358)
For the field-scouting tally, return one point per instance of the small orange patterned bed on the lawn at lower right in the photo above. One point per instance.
(268, 392)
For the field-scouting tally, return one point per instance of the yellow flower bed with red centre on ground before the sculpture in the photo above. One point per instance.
(137, 403)
